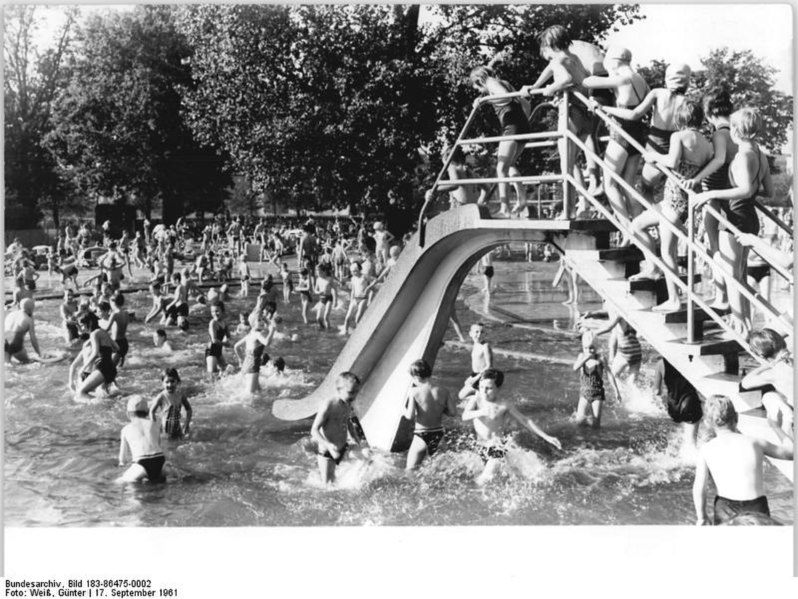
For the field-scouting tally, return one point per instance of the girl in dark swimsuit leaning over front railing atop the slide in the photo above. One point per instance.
(514, 121)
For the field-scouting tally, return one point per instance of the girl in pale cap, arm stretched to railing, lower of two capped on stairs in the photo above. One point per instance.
(662, 102)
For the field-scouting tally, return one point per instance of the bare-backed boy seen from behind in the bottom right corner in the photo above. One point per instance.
(734, 463)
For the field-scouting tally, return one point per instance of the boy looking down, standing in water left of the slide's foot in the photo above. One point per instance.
(332, 423)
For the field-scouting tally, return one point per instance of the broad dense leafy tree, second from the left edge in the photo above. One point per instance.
(118, 131)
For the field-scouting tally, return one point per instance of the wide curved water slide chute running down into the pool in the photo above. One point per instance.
(410, 313)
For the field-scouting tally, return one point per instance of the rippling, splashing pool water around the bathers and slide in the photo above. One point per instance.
(243, 467)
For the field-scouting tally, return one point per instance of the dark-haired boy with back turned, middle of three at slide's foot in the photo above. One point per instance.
(425, 405)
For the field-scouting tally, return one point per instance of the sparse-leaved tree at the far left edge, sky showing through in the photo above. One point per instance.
(31, 80)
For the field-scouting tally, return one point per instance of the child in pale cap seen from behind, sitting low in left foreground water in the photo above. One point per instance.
(141, 440)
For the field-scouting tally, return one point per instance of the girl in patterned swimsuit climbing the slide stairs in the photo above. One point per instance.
(689, 152)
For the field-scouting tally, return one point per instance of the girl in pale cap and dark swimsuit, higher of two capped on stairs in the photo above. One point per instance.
(621, 158)
